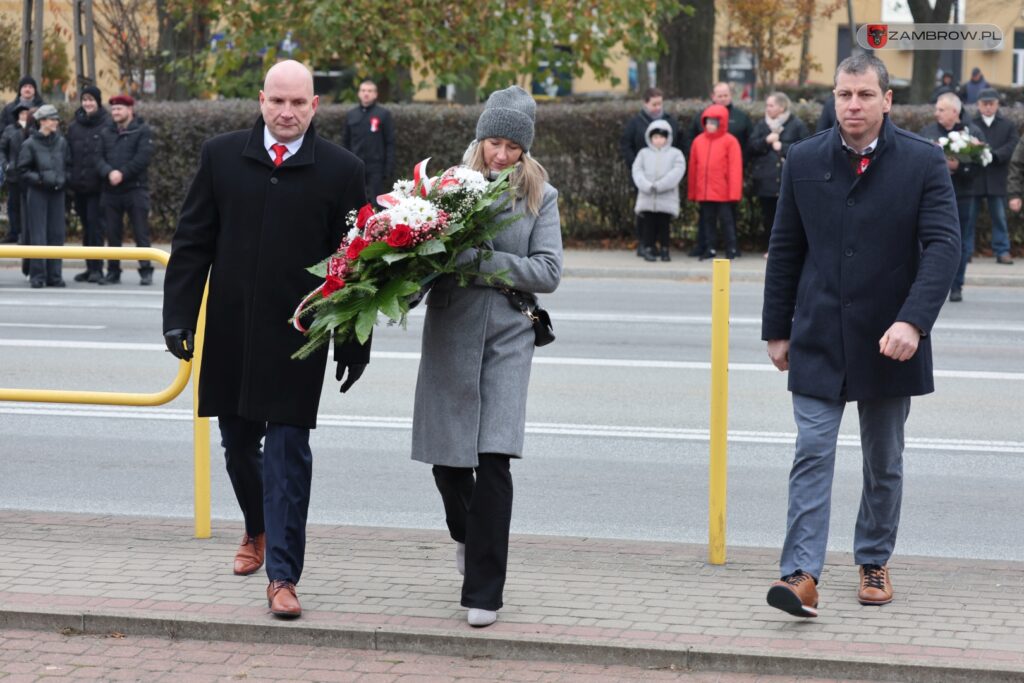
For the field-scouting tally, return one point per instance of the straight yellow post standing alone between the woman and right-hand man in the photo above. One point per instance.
(719, 410)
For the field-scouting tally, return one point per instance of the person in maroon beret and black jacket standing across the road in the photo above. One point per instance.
(125, 156)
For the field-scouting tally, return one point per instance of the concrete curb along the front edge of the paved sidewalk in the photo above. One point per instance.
(481, 645)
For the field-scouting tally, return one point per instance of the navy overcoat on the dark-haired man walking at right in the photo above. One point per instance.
(850, 255)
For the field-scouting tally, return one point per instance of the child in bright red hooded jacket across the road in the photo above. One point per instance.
(716, 179)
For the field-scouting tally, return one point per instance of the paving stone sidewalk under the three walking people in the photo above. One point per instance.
(568, 600)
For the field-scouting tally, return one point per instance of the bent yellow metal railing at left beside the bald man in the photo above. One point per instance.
(201, 429)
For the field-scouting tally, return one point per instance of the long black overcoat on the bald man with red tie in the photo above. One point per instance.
(255, 229)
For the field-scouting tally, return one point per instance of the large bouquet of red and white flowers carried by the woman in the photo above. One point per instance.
(391, 255)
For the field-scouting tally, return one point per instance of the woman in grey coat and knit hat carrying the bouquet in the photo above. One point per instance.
(471, 411)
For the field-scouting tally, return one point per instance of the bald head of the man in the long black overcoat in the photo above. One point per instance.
(287, 101)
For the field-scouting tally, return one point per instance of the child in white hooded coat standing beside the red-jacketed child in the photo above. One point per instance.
(657, 173)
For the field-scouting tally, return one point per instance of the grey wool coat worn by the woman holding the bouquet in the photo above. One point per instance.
(478, 350)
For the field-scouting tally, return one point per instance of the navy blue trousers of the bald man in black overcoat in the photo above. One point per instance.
(272, 486)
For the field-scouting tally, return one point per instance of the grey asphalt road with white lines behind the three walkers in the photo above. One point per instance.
(617, 425)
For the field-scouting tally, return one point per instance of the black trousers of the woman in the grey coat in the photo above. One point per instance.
(479, 514)
